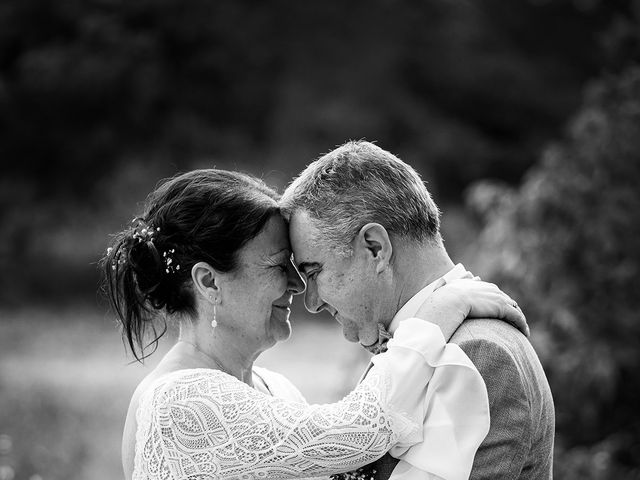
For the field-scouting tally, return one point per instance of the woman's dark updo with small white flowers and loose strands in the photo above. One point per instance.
(200, 216)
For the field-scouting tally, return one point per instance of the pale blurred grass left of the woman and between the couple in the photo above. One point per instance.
(65, 384)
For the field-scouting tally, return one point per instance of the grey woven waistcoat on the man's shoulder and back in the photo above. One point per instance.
(520, 439)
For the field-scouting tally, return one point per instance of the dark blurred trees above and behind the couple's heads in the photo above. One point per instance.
(101, 98)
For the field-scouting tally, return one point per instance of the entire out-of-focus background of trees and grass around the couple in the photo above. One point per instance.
(523, 116)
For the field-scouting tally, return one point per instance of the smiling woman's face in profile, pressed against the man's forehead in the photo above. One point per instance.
(256, 298)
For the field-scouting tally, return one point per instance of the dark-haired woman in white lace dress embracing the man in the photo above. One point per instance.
(212, 252)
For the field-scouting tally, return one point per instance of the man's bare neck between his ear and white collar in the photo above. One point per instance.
(417, 266)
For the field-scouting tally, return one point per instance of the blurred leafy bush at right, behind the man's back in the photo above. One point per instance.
(566, 242)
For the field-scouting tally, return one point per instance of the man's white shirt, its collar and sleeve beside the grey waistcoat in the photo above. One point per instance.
(456, 407)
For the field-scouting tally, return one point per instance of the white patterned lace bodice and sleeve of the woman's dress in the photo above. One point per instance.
(204, 424)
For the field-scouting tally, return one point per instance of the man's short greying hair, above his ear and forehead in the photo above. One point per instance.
(359, 183)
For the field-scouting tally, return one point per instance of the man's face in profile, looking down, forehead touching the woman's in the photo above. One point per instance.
(347, 287)
